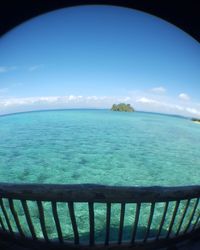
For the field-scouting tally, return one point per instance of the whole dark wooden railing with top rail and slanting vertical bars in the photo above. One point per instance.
(96, 215)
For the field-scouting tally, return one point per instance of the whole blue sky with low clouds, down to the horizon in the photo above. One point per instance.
(94, 56)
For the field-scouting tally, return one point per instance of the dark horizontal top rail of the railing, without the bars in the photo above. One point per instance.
(96, 193)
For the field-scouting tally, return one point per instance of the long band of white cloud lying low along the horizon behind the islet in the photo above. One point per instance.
(9, 105)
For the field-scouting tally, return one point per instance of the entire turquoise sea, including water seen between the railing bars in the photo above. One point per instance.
(101, 147)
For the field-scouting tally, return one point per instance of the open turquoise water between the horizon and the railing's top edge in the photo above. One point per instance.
(99, 146)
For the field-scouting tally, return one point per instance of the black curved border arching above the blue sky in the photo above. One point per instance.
(183, 14)
